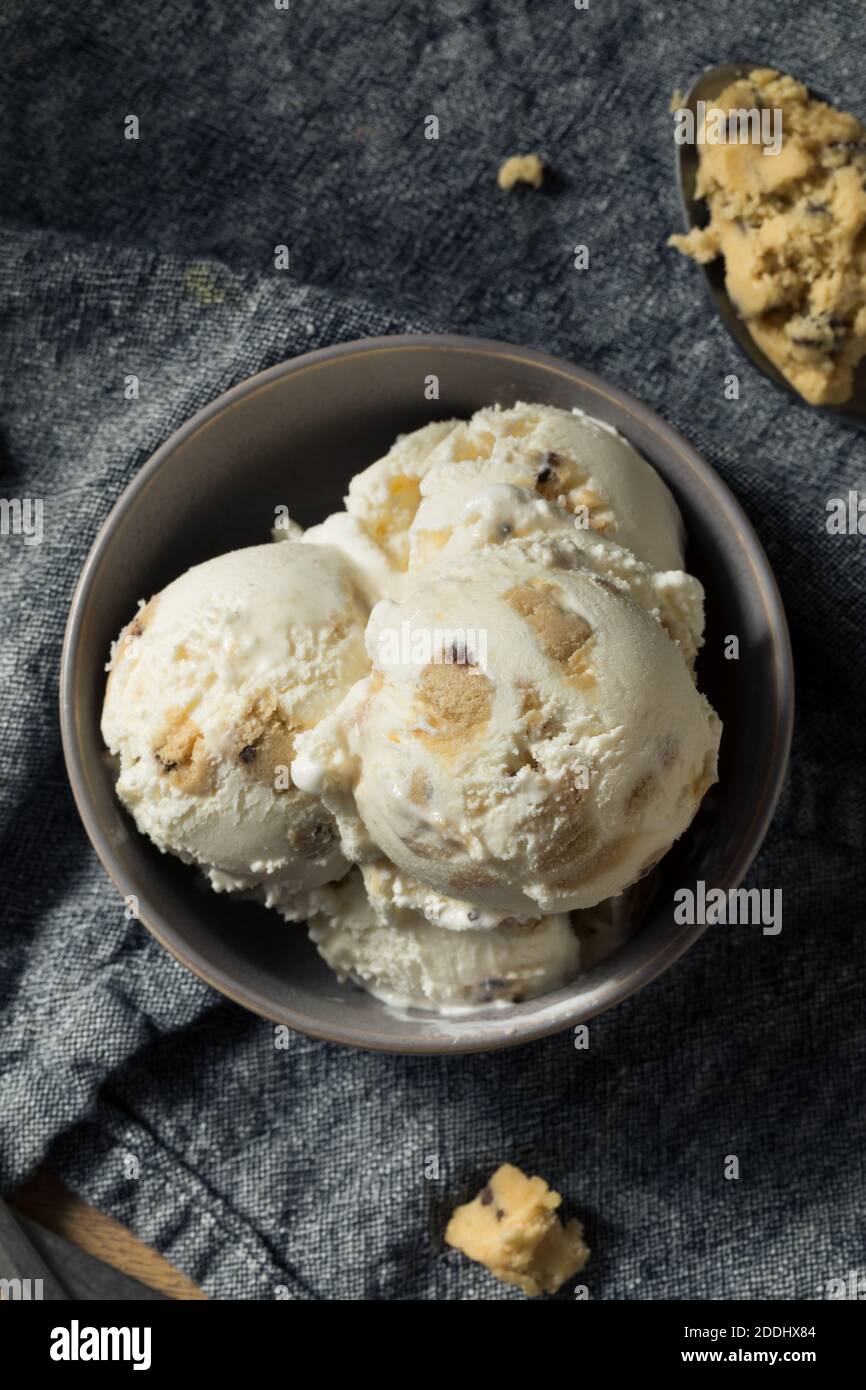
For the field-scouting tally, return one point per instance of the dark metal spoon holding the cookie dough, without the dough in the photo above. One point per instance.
(707, 88)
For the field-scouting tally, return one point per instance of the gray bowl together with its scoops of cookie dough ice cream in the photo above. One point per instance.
(402, 721)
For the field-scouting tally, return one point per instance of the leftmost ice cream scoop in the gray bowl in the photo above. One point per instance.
(209, 687)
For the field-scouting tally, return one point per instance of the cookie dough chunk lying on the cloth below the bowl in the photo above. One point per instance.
(514, 1229)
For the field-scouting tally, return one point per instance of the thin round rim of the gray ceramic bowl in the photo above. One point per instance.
(491, 1033)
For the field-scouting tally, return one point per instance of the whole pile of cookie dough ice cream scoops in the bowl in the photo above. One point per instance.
(452, 728)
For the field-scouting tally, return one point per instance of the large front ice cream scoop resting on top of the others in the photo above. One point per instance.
(530, 739)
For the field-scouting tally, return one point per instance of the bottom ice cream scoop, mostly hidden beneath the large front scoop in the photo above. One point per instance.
(414, 964)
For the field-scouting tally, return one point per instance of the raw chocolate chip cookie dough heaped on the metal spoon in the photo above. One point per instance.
(792, 231)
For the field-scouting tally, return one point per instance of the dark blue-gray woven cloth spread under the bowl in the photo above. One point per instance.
(305, 1168)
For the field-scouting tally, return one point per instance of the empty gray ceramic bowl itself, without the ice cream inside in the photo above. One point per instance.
(295, 436)
